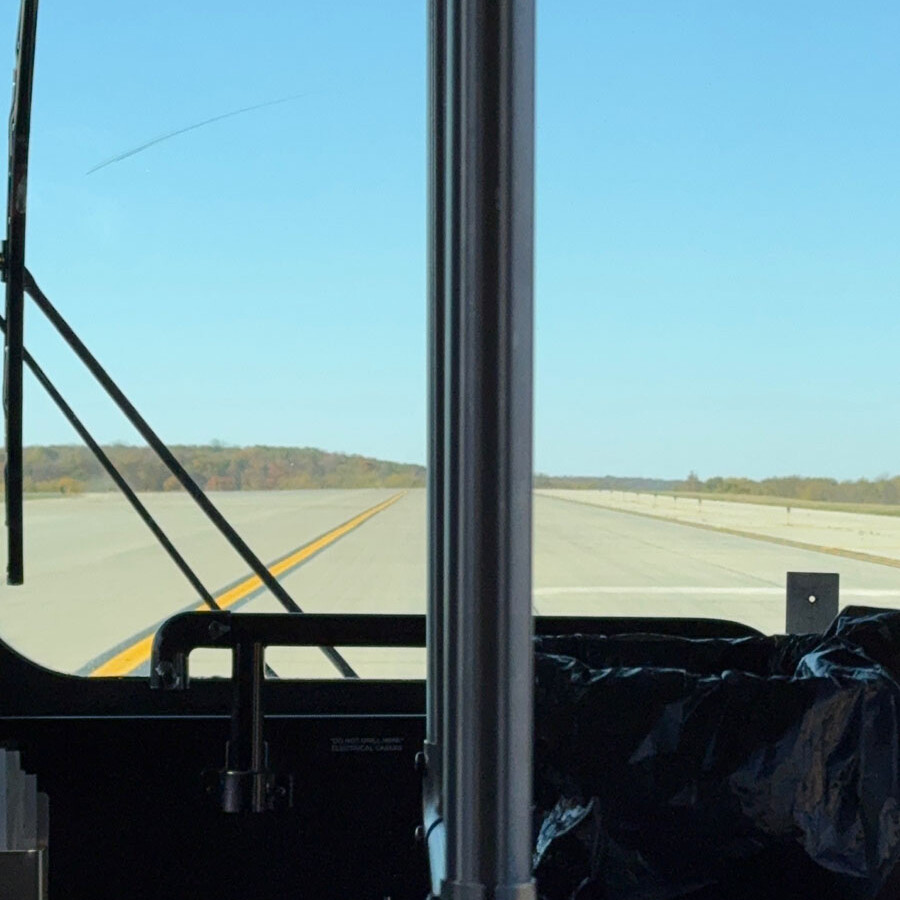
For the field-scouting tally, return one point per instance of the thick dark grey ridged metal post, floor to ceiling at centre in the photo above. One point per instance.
(489, 304)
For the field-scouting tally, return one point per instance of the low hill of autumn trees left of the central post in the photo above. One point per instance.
(73, 469)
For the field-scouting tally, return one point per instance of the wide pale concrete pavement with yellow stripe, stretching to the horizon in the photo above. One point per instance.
(97, 584)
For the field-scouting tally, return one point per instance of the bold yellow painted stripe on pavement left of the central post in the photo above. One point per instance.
(123, 660)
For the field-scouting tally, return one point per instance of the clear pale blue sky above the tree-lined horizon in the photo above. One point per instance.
(718, 228)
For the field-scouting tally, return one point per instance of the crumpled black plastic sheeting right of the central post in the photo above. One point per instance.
(665, 765)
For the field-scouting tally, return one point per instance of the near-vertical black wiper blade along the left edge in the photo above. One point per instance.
(13, 271)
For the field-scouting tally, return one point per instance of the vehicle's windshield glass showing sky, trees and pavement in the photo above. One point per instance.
(229, 209)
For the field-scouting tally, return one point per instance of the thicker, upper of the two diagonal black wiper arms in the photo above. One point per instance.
(165, 454)
